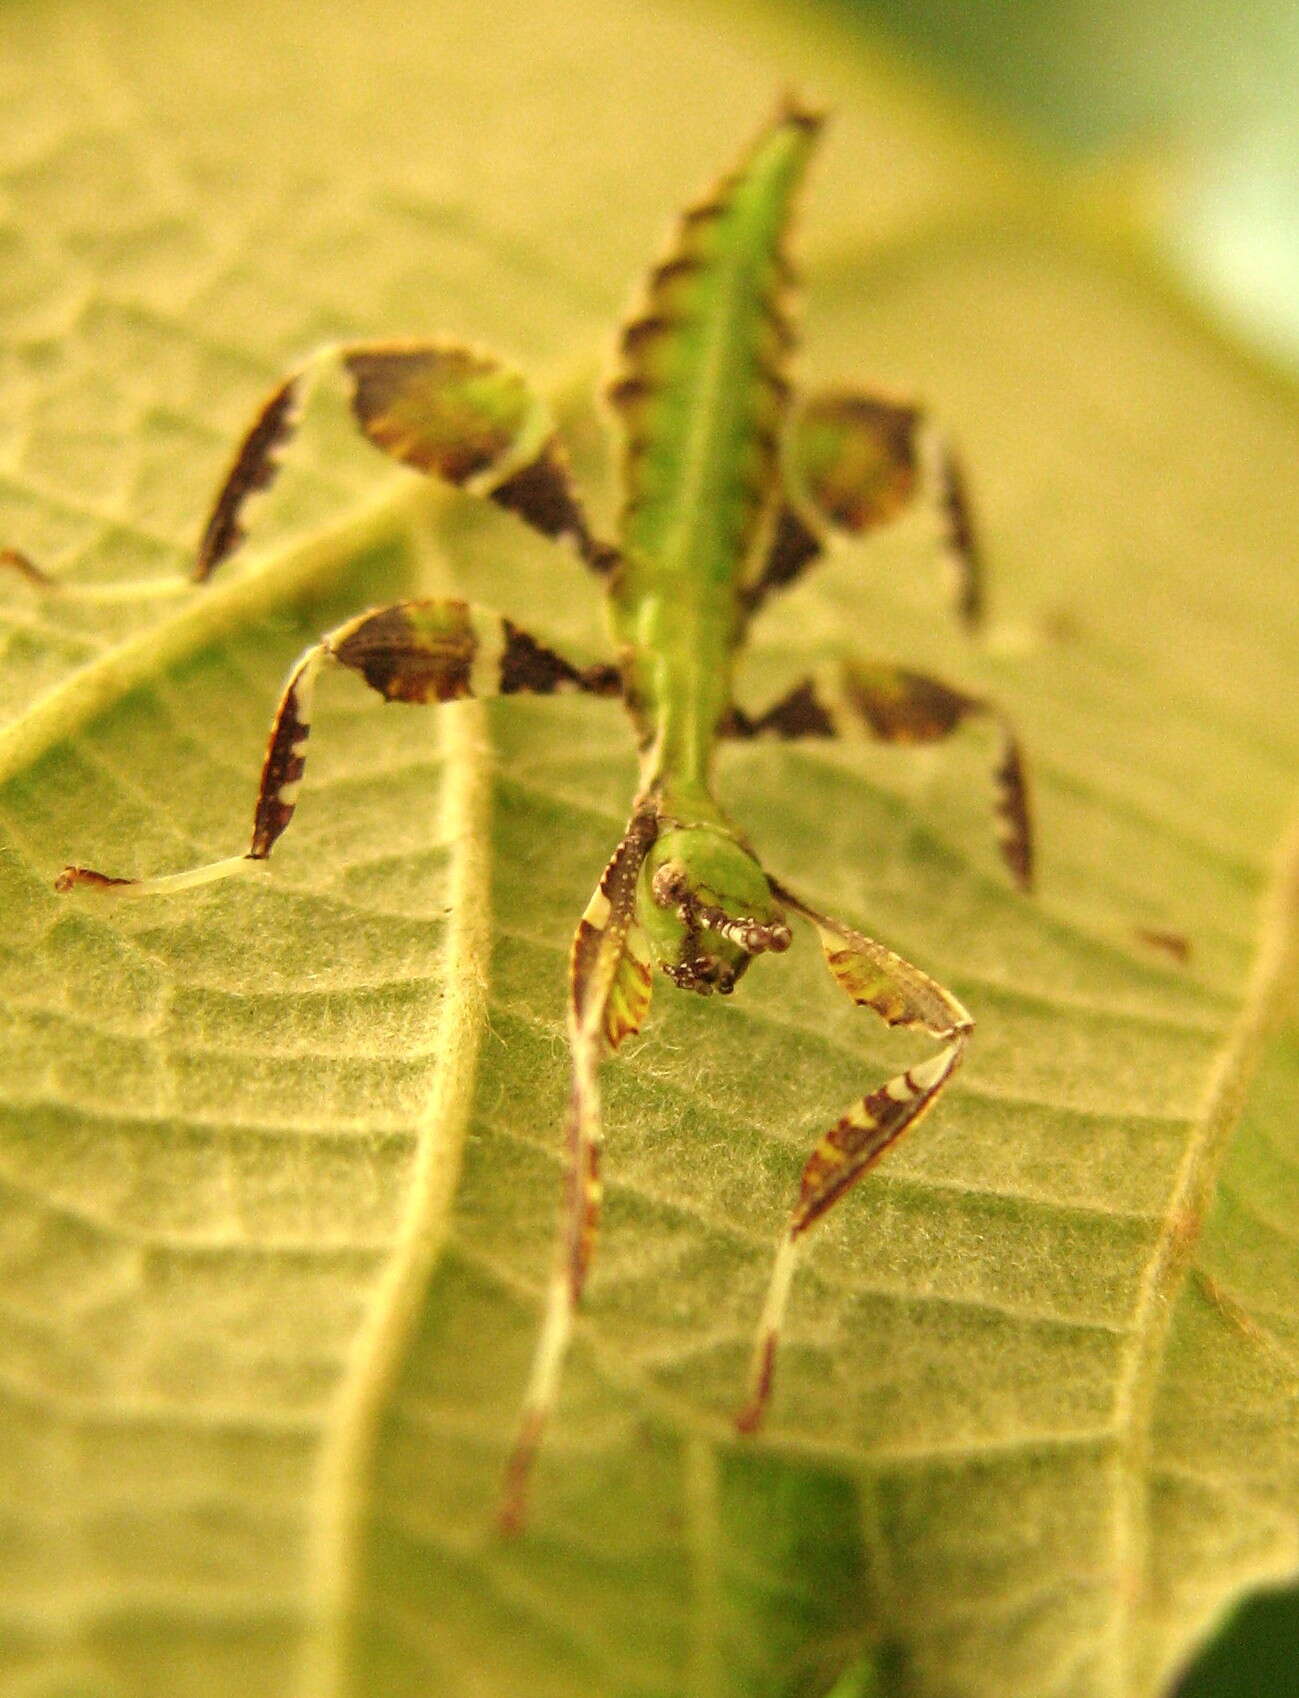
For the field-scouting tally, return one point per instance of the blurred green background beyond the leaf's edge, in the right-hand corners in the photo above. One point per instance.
(1193, 108)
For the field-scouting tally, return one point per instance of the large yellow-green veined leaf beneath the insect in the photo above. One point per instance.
(281, 1159)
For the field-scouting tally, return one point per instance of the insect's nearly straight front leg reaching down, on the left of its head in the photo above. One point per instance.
(610, 986)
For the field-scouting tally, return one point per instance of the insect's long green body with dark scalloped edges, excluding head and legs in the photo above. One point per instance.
(704, 395)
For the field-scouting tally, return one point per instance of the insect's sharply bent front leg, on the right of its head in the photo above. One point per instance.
(903, 996)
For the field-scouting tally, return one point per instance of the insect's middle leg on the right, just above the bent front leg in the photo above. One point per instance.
(903, 707)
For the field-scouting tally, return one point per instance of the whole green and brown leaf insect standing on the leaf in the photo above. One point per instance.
(729, 493)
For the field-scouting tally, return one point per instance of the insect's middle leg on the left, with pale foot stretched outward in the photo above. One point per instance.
(413, 651)
